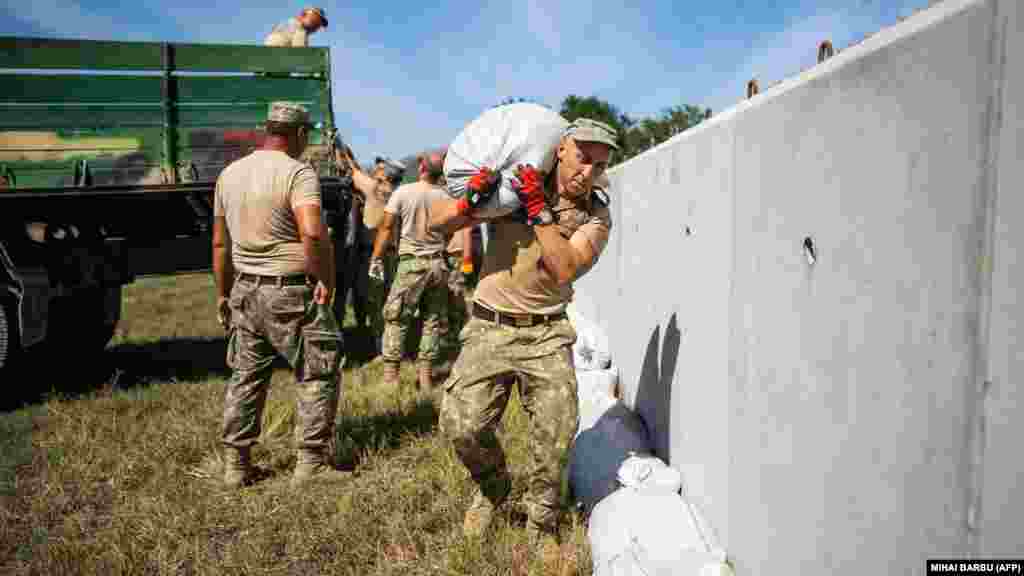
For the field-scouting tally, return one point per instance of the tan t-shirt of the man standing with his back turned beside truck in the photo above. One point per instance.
(258, 195)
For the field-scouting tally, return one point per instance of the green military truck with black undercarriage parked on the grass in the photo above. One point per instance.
(109, 155)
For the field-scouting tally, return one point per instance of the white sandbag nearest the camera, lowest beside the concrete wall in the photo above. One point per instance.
(653, 532)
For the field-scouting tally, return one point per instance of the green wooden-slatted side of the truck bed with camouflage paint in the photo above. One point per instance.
(147, 128)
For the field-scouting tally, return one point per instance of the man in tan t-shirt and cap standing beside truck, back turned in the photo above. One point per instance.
(273, 264)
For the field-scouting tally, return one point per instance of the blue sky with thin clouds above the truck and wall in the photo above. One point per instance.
(407, 78)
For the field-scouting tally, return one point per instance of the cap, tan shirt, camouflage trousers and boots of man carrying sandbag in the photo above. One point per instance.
(530, 344)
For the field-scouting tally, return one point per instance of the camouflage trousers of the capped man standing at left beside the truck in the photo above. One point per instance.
(270, 320)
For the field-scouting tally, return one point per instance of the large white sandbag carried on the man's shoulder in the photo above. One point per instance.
(501, 139)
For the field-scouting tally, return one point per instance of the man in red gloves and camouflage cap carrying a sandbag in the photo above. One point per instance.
(520, 332)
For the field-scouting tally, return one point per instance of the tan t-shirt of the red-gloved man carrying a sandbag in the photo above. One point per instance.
(514, 279)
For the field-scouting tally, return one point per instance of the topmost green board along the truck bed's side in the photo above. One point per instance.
(93, 55)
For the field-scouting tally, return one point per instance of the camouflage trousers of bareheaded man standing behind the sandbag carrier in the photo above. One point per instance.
(419, 284)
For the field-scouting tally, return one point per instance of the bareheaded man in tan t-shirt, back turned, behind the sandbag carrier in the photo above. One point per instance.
(420, 282)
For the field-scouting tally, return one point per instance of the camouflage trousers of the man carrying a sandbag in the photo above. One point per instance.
(478, 392)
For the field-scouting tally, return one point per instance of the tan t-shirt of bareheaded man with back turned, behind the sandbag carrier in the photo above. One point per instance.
(411, 203)
